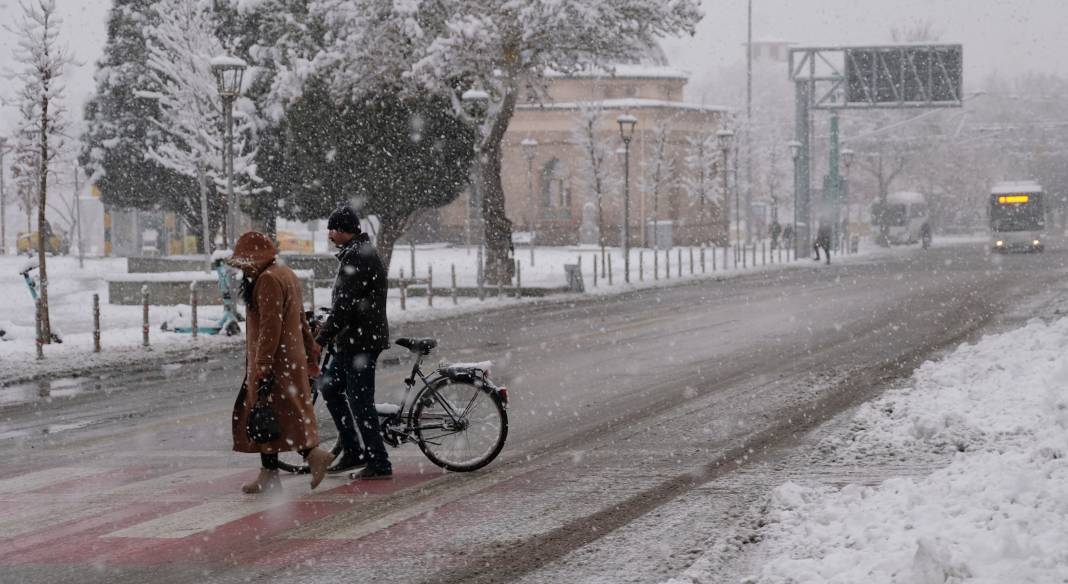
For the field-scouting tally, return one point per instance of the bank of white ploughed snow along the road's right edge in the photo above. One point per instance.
(998, 513)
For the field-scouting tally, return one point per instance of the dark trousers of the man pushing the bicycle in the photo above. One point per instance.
(349, 388)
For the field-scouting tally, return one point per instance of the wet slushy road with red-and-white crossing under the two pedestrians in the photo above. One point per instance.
(621, 409)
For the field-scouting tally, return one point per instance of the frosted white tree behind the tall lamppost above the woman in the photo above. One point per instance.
(182, 45)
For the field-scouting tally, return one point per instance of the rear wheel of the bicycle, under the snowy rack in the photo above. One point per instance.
(460, 427)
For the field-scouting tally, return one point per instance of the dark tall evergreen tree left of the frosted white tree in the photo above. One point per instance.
(119, 122)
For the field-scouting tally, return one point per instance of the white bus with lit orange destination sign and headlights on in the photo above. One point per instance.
(1017, 217)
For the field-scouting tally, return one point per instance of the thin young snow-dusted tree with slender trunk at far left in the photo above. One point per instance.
(43, 62)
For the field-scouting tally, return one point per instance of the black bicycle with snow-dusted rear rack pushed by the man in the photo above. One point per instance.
(459, 418)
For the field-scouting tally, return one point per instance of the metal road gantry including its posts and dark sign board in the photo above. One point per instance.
(835, 78)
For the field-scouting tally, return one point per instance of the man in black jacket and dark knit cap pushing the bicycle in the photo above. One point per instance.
(357, 332)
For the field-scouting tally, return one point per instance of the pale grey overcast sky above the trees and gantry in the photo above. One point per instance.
(1003, 36)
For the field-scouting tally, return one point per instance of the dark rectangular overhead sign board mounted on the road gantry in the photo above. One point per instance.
(905, 76)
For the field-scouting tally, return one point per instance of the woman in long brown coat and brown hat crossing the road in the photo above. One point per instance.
(280, 351)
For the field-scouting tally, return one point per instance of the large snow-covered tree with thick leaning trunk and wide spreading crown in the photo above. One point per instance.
(501, 48)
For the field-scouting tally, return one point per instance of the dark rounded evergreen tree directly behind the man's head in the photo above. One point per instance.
(390, 156)
